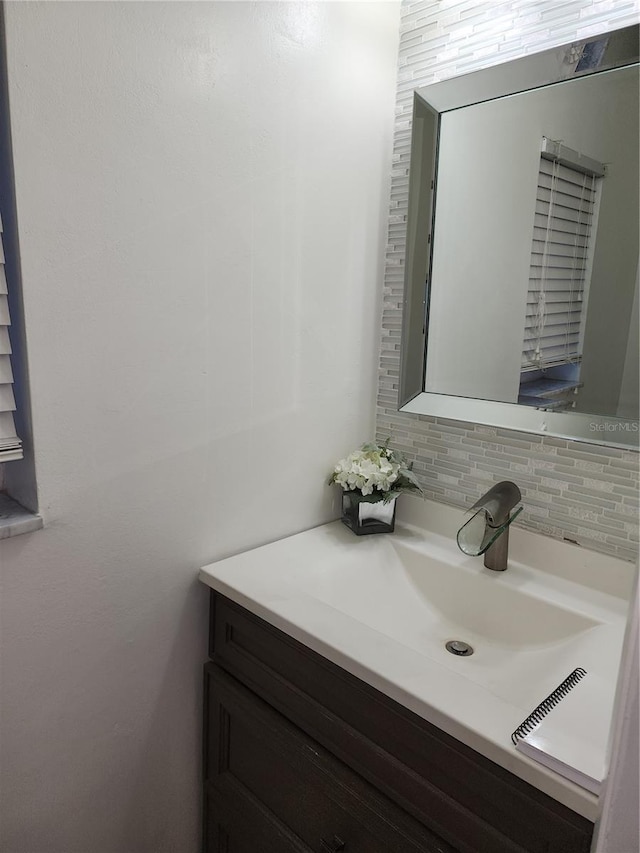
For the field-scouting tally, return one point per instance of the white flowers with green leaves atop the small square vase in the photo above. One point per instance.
(375, 471)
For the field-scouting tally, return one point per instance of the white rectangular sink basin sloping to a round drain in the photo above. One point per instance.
(425, 597)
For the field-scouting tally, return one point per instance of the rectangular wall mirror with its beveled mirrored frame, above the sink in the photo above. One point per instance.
(521, 281)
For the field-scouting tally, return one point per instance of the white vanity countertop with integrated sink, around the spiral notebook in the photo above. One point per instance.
(351, 600)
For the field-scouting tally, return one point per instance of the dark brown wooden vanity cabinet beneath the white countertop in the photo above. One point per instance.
(301, 756)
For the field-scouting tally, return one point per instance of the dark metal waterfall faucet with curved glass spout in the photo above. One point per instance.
(487, 531)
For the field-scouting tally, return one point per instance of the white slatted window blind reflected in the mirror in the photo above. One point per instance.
(561, 255)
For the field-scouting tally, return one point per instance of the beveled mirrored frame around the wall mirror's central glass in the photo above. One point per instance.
(520, 75)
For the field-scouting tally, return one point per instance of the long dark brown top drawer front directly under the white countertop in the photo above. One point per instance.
(462, 797)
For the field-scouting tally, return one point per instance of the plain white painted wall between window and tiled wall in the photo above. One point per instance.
(201, 191)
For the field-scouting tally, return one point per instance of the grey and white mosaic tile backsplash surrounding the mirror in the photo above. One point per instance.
(571, 490)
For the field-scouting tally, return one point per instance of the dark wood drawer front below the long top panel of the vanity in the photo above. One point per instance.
(254, 755)
